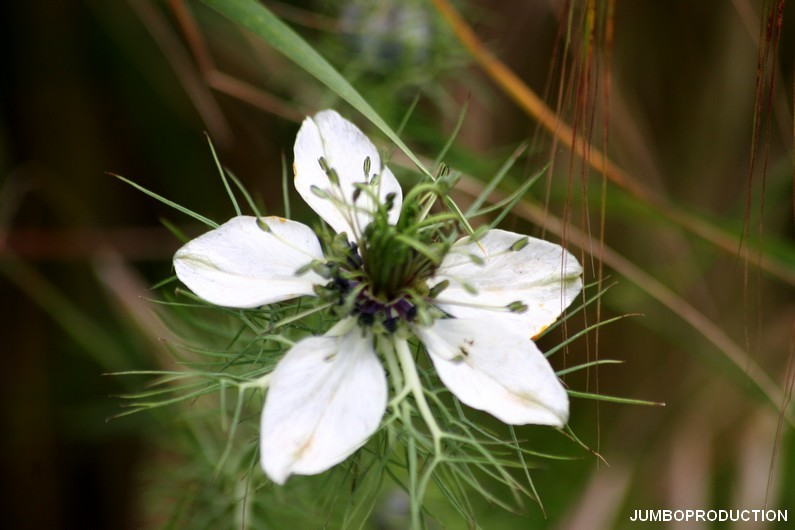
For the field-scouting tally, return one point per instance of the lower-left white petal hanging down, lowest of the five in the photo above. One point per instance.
(326, 398)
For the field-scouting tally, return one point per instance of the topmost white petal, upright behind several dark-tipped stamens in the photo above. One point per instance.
(344, 147)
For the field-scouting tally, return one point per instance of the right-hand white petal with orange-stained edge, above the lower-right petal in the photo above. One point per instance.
(542, 275)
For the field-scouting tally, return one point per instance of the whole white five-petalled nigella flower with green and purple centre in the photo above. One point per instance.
(391, 274)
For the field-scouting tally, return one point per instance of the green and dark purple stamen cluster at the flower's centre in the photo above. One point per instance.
(382, 279)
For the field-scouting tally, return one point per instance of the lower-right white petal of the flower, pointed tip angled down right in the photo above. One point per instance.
(492, 367)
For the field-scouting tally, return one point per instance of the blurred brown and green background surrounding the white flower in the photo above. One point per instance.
(693, 102)
